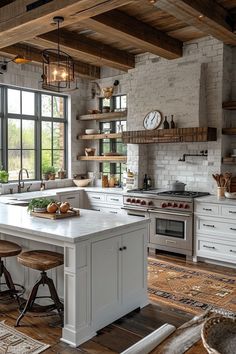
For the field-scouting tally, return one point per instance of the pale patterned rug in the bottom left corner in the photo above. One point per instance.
(15, 342)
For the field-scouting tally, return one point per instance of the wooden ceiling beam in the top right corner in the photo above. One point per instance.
(207, 15)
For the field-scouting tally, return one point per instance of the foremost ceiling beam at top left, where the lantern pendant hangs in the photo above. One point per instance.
(18, 23)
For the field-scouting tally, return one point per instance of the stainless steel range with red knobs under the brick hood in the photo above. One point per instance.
(171, 215)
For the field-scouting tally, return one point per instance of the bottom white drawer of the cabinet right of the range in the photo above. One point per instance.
(217, 250)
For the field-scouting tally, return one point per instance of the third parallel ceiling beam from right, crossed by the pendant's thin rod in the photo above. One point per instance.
(86, 49)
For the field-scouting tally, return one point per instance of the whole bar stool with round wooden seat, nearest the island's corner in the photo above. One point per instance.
(41, 260)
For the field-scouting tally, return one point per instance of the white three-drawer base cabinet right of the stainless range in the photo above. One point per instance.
(215, 229)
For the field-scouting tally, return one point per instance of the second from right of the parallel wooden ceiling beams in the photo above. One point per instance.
(136, 33)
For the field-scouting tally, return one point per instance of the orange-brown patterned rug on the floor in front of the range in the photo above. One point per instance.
(191, 290)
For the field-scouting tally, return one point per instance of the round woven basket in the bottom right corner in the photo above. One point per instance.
(219, 335)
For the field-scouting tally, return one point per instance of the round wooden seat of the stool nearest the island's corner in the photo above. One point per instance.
(40, 259)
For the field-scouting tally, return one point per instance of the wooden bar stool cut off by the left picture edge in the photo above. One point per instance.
(9, 249)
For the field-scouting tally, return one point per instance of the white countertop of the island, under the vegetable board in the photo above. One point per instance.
(89, 223)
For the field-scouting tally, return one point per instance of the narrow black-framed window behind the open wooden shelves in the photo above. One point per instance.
(116, 103)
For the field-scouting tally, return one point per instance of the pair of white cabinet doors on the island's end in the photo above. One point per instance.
(118, 276)
